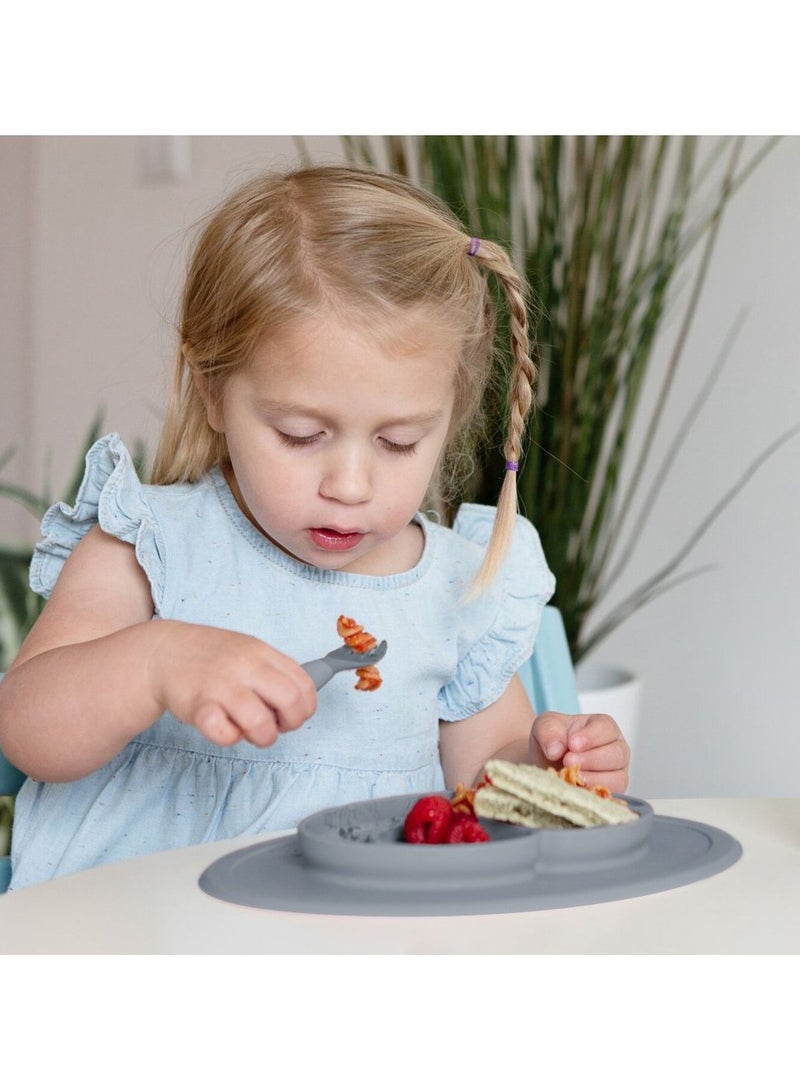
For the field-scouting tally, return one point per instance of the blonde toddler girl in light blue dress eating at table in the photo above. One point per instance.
(337, 335)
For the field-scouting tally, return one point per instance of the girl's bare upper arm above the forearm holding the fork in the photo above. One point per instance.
(102, 589)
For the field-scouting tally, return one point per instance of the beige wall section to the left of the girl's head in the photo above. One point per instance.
(108, 266)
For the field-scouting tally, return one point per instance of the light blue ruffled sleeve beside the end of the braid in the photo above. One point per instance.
(509, 615)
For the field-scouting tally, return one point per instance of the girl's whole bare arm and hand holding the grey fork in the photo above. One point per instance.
(97, 670)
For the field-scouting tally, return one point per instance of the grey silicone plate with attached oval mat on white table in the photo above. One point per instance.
(351, 861)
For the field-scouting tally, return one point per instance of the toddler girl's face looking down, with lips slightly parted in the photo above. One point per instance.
(335, 438)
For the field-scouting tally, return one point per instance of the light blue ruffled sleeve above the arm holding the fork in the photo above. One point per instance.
(113, 498)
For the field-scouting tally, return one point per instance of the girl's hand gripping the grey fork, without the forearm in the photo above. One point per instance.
(229, 686)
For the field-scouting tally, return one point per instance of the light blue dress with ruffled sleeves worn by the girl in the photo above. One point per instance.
(448, 660)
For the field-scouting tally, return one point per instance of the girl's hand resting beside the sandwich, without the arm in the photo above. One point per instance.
(594, 742)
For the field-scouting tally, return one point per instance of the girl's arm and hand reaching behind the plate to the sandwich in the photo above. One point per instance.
(508, 729)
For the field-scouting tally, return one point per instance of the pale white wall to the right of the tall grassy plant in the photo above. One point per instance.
(720, 656)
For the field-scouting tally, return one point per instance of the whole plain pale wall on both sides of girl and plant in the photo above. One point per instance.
(90, 266)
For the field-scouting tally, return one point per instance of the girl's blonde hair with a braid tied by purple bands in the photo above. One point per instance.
(373, 246)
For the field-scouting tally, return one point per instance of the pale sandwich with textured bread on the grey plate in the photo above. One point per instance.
(539, 798)
